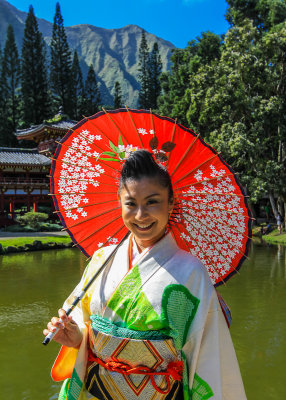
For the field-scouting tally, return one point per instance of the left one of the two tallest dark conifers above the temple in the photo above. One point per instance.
(34, 84)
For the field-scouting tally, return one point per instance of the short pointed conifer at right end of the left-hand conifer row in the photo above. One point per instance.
(92, 93)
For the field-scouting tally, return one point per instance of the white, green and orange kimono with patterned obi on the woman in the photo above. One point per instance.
(167, 307)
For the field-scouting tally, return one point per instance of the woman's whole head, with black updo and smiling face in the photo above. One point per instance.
(146, 196)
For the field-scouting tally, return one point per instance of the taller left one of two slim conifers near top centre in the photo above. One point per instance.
(143, 73)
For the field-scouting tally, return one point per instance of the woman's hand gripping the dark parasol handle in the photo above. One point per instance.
(68, 334)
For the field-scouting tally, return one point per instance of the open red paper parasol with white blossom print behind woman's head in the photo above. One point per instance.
(211, 218)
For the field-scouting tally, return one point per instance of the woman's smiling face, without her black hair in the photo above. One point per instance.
(145, 210)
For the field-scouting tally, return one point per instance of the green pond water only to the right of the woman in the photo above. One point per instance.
(257, 298)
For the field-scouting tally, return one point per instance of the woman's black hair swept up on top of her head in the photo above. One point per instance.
(141, 164)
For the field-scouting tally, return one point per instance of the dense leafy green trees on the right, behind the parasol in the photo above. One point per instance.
(231, 90)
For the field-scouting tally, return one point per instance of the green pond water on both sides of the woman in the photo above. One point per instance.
(34, 285)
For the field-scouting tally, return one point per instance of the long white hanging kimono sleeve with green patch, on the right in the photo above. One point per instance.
(213, 367)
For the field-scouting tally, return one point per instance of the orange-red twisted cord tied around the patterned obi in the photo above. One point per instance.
(174, 369)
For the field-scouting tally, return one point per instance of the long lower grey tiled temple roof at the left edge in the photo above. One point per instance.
(17, 156)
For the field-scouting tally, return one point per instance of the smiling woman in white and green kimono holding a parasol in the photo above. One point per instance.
(151, 322)
